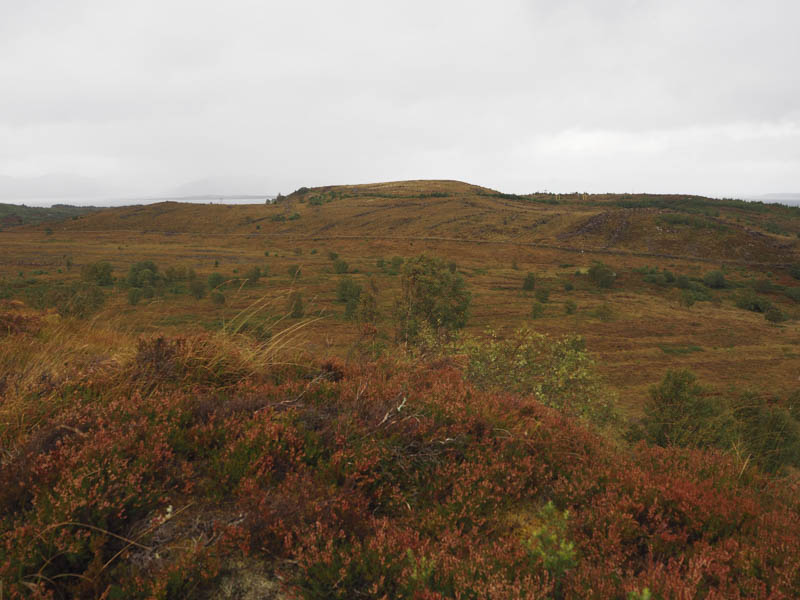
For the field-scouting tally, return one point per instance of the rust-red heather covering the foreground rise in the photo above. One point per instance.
(179, 463)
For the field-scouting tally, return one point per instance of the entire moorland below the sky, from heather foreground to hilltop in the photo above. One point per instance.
(420, 389)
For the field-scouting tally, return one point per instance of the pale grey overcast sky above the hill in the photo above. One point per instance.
(118, 98)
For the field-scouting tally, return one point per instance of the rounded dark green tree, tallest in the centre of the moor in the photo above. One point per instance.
(431, 295)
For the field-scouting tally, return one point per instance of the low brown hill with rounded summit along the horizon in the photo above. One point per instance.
(683, 226)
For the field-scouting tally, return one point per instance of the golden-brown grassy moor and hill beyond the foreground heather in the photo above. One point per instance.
(486, 234)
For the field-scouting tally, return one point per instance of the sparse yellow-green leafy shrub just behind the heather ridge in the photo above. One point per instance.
(558, 371)
